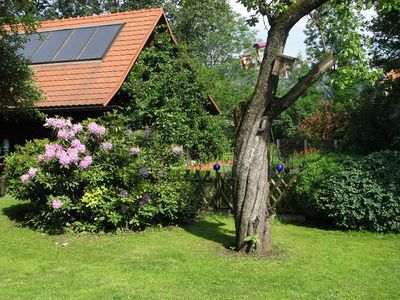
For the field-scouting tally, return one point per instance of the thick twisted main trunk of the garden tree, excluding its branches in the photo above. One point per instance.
(250, 172)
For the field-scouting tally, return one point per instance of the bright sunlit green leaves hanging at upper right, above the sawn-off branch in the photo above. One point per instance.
(339, 28)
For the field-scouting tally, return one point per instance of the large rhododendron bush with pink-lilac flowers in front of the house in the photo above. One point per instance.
(94, 177)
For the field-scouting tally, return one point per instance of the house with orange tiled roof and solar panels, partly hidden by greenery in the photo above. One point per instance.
(80, 64)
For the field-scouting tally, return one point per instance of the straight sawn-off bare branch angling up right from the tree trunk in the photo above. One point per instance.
(304, 83)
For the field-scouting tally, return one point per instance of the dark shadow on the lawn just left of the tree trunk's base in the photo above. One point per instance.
(213, 231)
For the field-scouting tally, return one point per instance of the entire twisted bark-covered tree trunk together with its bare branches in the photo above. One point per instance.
(251, 187)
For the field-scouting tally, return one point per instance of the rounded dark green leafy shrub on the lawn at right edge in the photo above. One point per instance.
(359, 193)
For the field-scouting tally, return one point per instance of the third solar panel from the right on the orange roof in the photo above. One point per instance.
(50, 46)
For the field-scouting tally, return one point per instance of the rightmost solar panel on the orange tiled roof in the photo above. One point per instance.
(100, 42)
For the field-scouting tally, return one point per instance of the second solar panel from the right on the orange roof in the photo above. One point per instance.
(75, 44)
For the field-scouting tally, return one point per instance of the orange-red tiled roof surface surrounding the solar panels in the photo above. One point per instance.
(96, 82)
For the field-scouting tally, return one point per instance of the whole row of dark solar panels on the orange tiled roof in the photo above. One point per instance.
(87, 43)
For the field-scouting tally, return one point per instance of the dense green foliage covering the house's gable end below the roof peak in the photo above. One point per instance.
(162, 91)
